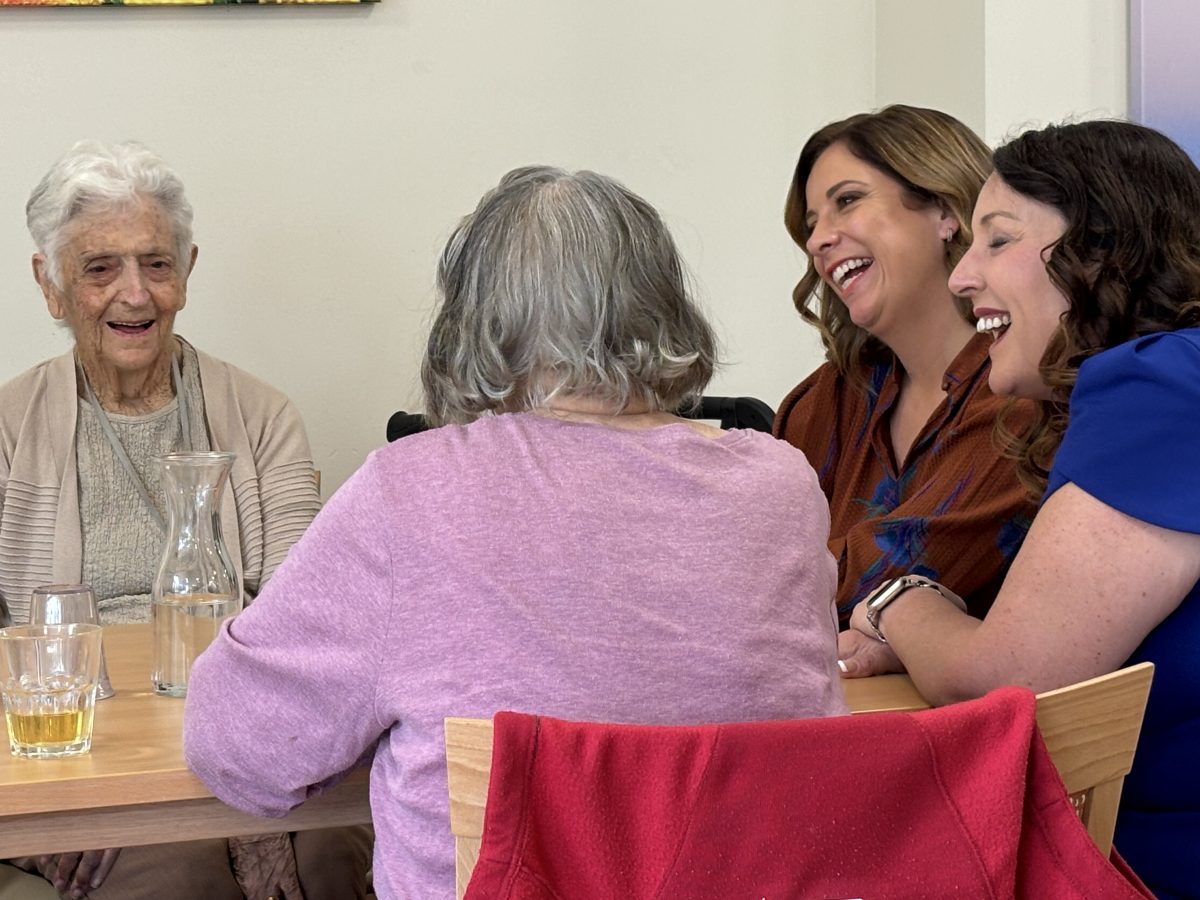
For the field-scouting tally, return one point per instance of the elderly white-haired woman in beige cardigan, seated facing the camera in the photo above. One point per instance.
(80, 496)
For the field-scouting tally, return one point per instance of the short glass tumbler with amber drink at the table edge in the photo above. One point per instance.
(49, 677)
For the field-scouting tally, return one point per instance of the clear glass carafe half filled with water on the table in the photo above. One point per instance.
(197, 587)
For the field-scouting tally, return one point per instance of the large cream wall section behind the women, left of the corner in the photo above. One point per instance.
(328, 153)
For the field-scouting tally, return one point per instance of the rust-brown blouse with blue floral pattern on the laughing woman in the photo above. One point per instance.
(956, 514)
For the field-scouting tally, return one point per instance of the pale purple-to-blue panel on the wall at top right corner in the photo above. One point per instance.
(1165, 69)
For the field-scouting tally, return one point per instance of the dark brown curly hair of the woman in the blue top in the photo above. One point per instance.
(1129, 262)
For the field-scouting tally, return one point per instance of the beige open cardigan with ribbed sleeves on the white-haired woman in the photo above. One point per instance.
(274, 495)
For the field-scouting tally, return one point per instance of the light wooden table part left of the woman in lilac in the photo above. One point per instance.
(134, 787)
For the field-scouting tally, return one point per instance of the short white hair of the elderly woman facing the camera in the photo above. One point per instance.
(95, 177)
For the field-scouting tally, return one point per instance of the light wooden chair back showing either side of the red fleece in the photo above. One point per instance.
(1090, 729)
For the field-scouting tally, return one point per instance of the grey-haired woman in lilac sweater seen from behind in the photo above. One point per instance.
(562, 544)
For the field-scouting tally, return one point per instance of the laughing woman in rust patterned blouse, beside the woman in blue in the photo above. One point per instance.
(899, 423)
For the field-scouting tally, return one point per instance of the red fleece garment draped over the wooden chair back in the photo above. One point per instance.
(962, 801)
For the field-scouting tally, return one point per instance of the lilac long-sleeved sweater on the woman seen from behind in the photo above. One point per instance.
(518, 563)
